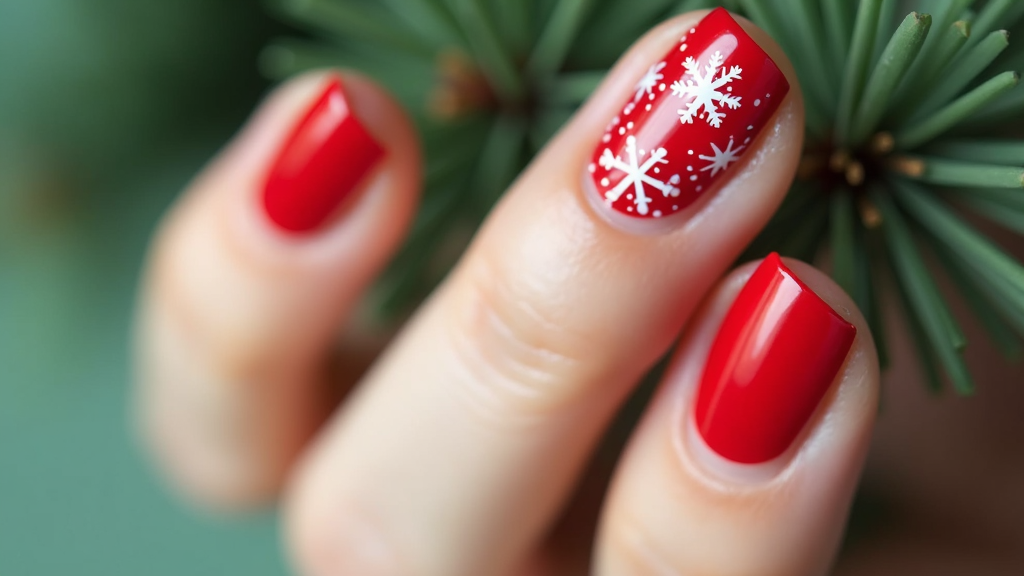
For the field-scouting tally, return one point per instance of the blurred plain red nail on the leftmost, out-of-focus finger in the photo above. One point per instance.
(322, 162)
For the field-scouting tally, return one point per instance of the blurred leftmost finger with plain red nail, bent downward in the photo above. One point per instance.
(252, 274)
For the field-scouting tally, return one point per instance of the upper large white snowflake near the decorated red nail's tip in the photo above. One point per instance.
(705, 90)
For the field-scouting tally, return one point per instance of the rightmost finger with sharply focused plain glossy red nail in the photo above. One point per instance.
(749, 456)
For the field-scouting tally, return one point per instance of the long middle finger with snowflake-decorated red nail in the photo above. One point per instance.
(461, 446)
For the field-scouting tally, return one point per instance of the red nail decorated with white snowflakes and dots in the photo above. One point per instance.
(694, 114)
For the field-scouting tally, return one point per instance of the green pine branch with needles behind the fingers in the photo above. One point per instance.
(912, 119)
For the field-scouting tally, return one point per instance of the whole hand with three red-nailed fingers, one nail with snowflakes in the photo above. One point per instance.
(464, 450)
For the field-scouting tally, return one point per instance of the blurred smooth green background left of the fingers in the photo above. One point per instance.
(107, 109)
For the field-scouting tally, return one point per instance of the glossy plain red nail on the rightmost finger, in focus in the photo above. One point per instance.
(776, 356)
